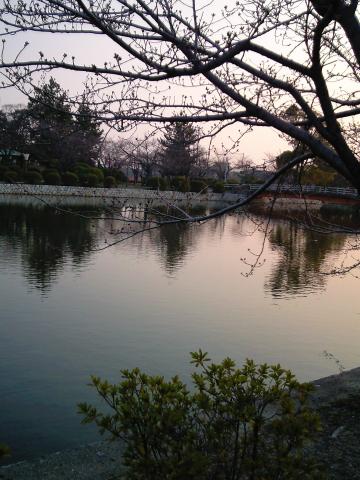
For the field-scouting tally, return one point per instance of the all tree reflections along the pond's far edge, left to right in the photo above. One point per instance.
(46, 242)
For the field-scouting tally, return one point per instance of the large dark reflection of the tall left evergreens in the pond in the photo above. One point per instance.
(46, 241)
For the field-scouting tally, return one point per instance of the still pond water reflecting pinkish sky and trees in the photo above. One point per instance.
(68, 311)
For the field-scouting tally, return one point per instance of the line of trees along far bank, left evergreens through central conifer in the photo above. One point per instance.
(49, 141)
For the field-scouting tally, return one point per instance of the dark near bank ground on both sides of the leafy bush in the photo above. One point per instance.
(335, 397)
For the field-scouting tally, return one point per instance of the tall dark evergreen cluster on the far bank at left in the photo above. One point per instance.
(48, 130)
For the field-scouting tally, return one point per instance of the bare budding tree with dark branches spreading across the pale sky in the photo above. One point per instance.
(240, 65)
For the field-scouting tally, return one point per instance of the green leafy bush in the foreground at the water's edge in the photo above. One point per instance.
(247, 423)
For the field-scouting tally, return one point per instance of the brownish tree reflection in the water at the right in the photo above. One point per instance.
(302, 257)
